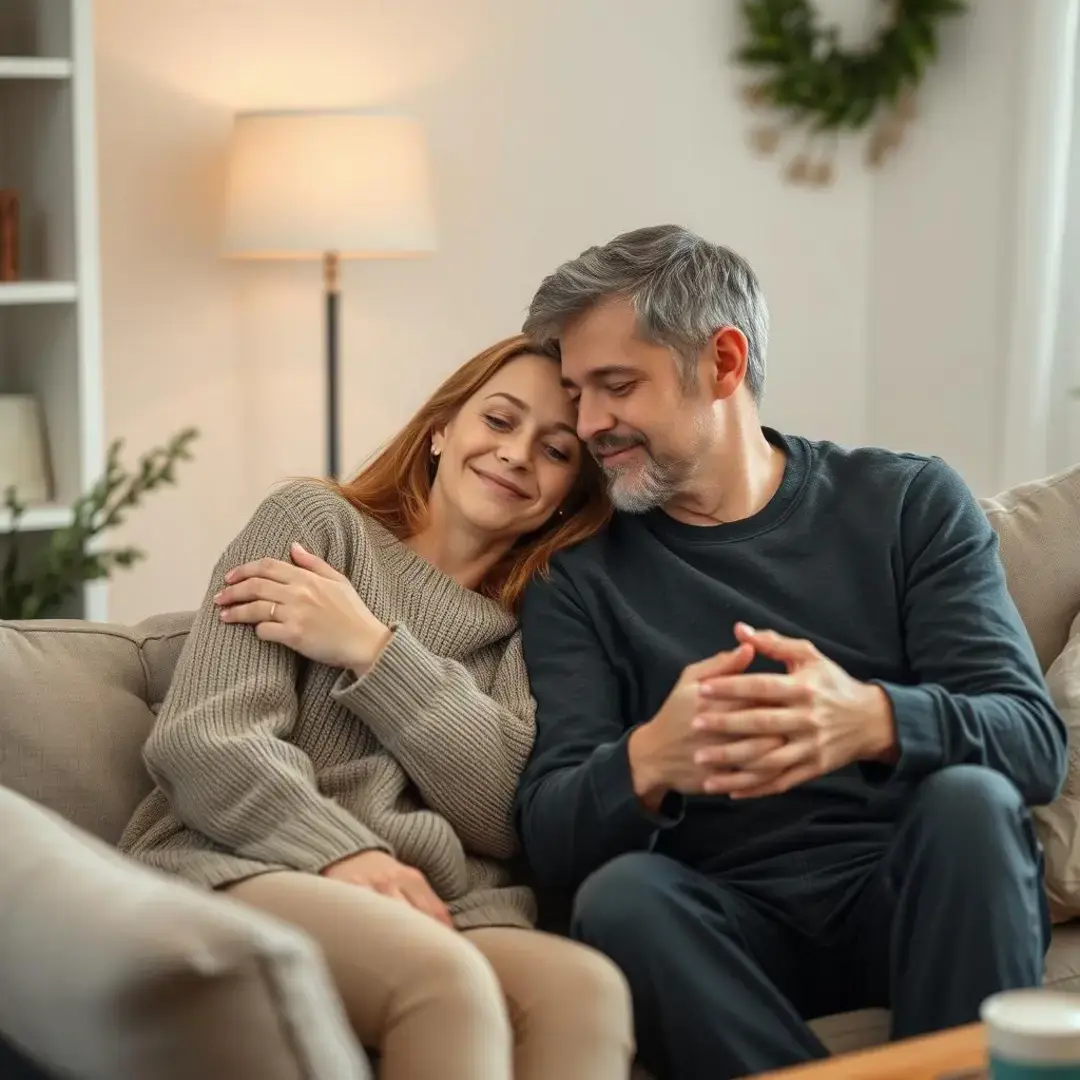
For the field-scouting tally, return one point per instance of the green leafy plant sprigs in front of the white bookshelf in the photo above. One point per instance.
(56, 574)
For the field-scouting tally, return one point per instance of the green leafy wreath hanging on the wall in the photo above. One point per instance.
(825, 90)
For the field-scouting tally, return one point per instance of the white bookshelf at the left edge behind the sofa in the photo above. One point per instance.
(50, 320)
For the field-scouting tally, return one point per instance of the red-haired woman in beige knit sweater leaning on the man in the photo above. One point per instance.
(349, 764)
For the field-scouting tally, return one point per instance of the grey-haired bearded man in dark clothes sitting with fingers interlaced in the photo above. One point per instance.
(789, 719)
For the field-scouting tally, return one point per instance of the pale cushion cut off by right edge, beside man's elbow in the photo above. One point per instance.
(1059, 825)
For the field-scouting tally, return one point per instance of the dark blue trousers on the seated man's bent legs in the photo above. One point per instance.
(727, 969)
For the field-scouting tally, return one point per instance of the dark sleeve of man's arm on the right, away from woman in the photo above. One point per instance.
(977, 696)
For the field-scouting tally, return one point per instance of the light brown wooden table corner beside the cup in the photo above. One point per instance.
(929, 1058)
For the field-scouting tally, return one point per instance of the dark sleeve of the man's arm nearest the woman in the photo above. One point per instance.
(577, 802)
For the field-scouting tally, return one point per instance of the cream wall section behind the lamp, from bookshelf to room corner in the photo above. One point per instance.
(553, 126)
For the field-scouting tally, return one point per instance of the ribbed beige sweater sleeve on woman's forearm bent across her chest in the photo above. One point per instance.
(464, 749)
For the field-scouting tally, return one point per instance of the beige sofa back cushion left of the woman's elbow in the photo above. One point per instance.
(77, 706)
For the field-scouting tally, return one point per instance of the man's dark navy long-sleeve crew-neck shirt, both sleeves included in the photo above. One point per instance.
(884, 561)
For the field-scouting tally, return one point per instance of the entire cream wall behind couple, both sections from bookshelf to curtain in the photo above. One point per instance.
(553, 126)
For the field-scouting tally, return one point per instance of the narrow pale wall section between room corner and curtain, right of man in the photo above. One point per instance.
(943, 246)
